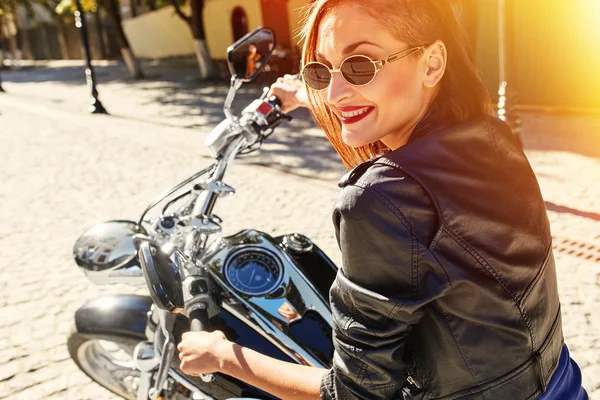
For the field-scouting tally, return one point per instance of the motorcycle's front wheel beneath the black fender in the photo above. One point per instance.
(108, 361)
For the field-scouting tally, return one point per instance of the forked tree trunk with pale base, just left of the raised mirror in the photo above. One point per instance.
(196, 24)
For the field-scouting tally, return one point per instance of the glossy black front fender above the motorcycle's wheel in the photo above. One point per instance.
(121, 315)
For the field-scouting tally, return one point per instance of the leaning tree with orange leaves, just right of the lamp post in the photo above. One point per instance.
(113, 11)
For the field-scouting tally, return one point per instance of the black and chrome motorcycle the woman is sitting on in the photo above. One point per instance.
(266, 293)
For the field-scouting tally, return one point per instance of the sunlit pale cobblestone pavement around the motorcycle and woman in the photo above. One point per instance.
(64, 170)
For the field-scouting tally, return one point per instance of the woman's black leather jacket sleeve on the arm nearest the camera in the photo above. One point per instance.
(378, 295)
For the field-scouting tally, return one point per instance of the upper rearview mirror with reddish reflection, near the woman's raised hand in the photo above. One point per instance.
(248, 55)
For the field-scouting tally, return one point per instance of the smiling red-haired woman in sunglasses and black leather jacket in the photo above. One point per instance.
(448, 286)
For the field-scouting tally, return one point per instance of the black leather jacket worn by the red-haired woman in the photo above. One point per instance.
(448, 286)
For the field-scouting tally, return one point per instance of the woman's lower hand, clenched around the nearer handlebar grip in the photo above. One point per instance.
(203, 352)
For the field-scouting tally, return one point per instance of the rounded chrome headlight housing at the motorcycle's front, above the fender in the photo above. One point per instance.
(107, 255)
